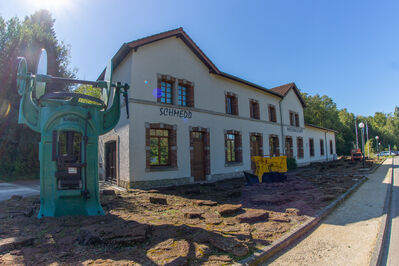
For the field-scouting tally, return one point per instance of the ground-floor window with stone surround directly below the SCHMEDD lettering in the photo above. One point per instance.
(160, 146)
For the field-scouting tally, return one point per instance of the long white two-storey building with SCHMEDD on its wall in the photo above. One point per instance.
(191, 122)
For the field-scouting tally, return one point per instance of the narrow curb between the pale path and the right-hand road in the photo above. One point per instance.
(376, 257)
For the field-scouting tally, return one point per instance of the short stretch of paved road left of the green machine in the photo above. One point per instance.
(25, 188)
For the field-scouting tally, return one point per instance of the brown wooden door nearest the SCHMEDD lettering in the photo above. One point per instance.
(198, 165)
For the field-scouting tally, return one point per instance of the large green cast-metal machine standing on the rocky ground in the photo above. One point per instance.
(69, 131)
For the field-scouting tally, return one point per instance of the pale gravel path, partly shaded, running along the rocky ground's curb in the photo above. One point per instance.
(348, 235)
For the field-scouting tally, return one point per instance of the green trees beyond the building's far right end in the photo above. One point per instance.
(322, 111)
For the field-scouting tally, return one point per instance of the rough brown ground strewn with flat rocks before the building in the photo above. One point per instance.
(212, 224)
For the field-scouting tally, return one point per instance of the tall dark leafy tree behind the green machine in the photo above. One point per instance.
(18, 144)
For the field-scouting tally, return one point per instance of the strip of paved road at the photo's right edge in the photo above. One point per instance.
(391, 254)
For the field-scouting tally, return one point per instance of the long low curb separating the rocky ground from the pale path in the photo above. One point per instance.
(269, 251)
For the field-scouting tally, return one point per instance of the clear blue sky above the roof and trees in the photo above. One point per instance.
(347, 50)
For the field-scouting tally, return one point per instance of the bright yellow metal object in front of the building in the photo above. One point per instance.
(269, 164)
